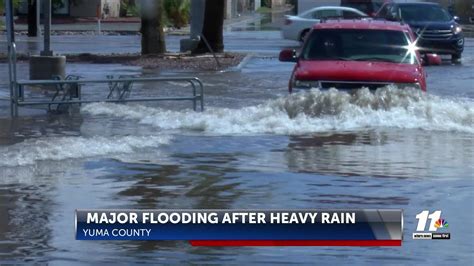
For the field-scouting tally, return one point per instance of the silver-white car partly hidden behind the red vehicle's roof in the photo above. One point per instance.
(296, 27)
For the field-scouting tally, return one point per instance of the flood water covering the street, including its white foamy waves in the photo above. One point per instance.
(254, 147)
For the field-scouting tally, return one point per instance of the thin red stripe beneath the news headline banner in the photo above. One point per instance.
(269, 243)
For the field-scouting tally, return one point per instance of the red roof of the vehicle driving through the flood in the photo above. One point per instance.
(361, 24)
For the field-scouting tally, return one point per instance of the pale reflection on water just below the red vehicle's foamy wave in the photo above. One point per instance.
(398, 153)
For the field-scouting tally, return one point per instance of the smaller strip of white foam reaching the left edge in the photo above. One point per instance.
(60, 148)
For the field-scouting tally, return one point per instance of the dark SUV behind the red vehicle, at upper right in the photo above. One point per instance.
(436, 29)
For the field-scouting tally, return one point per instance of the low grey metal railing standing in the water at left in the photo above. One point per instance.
(68, 91)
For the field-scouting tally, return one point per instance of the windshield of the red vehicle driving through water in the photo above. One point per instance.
(359, 45)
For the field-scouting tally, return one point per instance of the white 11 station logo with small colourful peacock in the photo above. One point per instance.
(436, 222)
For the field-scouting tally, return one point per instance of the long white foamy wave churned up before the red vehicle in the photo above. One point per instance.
(312, 111)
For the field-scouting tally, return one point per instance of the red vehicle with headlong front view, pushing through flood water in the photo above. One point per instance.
(351, 54)
